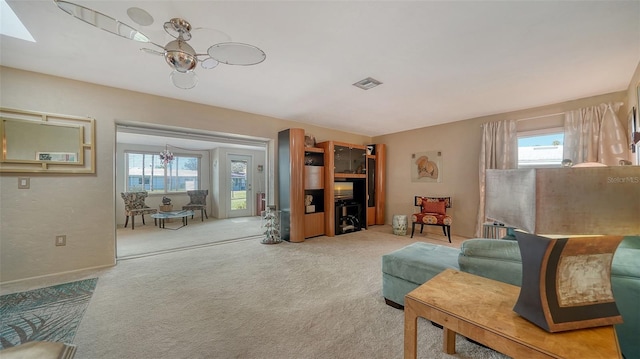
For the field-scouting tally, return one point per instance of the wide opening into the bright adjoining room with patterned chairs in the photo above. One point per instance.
(149, 239)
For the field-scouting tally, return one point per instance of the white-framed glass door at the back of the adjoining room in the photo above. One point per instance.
(240, 185)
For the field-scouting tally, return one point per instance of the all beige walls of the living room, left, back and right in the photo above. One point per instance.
(84, 206)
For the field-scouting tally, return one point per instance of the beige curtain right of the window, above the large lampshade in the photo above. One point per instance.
(595, 134)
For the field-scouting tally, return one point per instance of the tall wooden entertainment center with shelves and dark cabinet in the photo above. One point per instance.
(329, 189)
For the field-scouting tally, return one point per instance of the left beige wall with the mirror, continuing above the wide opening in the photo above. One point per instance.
(84, 206)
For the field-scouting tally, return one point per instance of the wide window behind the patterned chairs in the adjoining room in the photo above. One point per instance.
(145, 172)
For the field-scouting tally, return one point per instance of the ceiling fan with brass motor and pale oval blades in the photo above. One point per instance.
(180, 56)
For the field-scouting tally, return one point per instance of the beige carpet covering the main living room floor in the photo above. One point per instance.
(242, 299)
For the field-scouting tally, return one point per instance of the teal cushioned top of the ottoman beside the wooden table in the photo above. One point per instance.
(419, 262)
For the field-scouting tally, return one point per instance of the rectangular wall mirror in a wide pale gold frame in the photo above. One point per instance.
(42, 142)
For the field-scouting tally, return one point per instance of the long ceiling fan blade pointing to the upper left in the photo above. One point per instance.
(101, 21)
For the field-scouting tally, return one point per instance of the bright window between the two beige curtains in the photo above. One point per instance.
(540, 148)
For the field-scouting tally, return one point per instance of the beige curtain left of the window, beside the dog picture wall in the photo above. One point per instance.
(499, 151)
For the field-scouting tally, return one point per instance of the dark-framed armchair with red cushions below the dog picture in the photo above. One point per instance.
(433, 212)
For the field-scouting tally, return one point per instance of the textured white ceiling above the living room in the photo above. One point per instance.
(439, 61)
